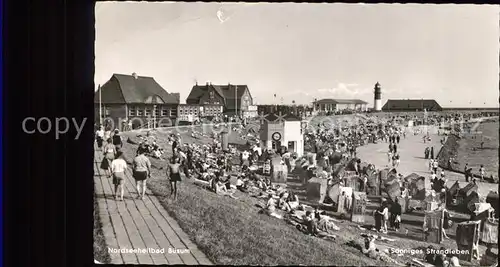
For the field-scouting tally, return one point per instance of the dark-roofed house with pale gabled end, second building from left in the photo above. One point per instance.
(234, 98)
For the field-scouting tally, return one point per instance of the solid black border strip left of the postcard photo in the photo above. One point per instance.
(48, 61)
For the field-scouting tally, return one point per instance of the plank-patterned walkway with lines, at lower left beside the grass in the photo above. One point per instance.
(140, 224)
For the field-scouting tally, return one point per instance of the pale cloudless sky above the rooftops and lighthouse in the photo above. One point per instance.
(302, 52)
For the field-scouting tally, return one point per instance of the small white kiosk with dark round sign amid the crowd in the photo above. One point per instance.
(282, 130)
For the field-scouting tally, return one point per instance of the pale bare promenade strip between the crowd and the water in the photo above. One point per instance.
(411, 149)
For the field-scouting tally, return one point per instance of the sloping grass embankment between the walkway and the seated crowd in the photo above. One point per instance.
(232, 232)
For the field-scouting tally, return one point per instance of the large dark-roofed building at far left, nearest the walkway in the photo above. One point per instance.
(138, 99)
